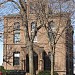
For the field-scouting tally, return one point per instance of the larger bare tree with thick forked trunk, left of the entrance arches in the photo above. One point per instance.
(29, 39)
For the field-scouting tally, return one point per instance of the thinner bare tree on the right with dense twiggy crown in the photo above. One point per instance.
(53, 34)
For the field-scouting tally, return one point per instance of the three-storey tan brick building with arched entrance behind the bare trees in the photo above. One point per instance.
(16, 53)
